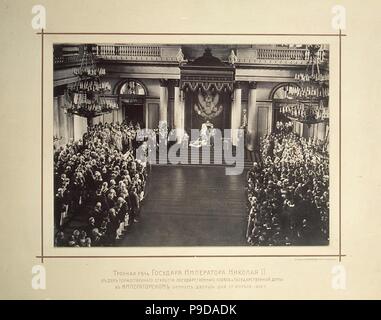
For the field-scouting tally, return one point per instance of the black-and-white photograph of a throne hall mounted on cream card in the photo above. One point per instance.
(274, 99)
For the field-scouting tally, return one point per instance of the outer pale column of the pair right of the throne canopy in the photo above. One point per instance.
(252, 117)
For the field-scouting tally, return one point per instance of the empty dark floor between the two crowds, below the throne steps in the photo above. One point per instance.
(191, 206)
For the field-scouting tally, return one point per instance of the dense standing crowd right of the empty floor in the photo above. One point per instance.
(288, 191)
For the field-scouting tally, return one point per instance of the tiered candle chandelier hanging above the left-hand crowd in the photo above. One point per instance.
(86, 96)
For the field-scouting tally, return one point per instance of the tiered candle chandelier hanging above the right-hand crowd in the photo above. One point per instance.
(308, 98)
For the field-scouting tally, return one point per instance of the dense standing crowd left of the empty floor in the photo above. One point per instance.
(99, 180)
